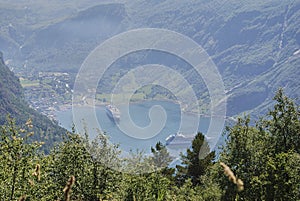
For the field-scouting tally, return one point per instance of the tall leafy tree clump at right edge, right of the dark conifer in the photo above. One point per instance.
(265, 156)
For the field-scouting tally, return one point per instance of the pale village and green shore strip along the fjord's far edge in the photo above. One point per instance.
(51, 92)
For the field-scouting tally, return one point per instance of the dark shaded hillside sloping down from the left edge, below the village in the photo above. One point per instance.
(12, 103)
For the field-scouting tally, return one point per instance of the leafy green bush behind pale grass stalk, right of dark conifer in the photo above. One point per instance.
(243, 153)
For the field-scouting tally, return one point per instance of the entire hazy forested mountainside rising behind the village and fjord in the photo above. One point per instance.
(254, 44)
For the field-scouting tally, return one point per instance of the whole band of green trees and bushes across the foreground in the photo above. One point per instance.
(264, 161)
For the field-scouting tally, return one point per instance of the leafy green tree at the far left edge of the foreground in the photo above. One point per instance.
(17, 160)
